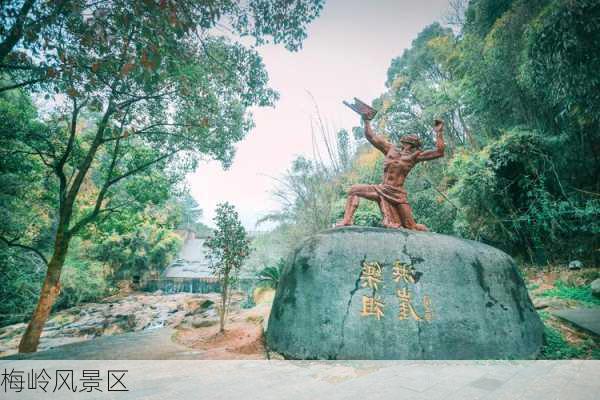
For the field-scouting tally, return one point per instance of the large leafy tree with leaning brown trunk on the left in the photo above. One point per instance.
(157, 90)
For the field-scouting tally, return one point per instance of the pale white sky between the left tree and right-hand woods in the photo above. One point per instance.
(346, 54)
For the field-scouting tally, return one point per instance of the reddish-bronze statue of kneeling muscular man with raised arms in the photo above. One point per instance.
(390, 195)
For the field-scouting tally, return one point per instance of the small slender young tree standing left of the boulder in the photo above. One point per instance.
(228, 247)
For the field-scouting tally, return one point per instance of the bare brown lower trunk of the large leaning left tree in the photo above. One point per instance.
(49, 293)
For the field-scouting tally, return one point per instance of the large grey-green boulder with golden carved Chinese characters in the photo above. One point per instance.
(371, 293)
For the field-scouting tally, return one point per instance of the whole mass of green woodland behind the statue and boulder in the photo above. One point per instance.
(518, 90)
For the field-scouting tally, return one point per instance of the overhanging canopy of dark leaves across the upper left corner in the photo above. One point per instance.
(56, 39)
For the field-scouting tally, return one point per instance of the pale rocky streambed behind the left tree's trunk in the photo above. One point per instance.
(119, 314)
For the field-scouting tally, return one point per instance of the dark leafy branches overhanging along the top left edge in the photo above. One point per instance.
(32, 32)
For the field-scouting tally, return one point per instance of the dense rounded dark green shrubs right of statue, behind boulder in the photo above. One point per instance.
(510, 194)
